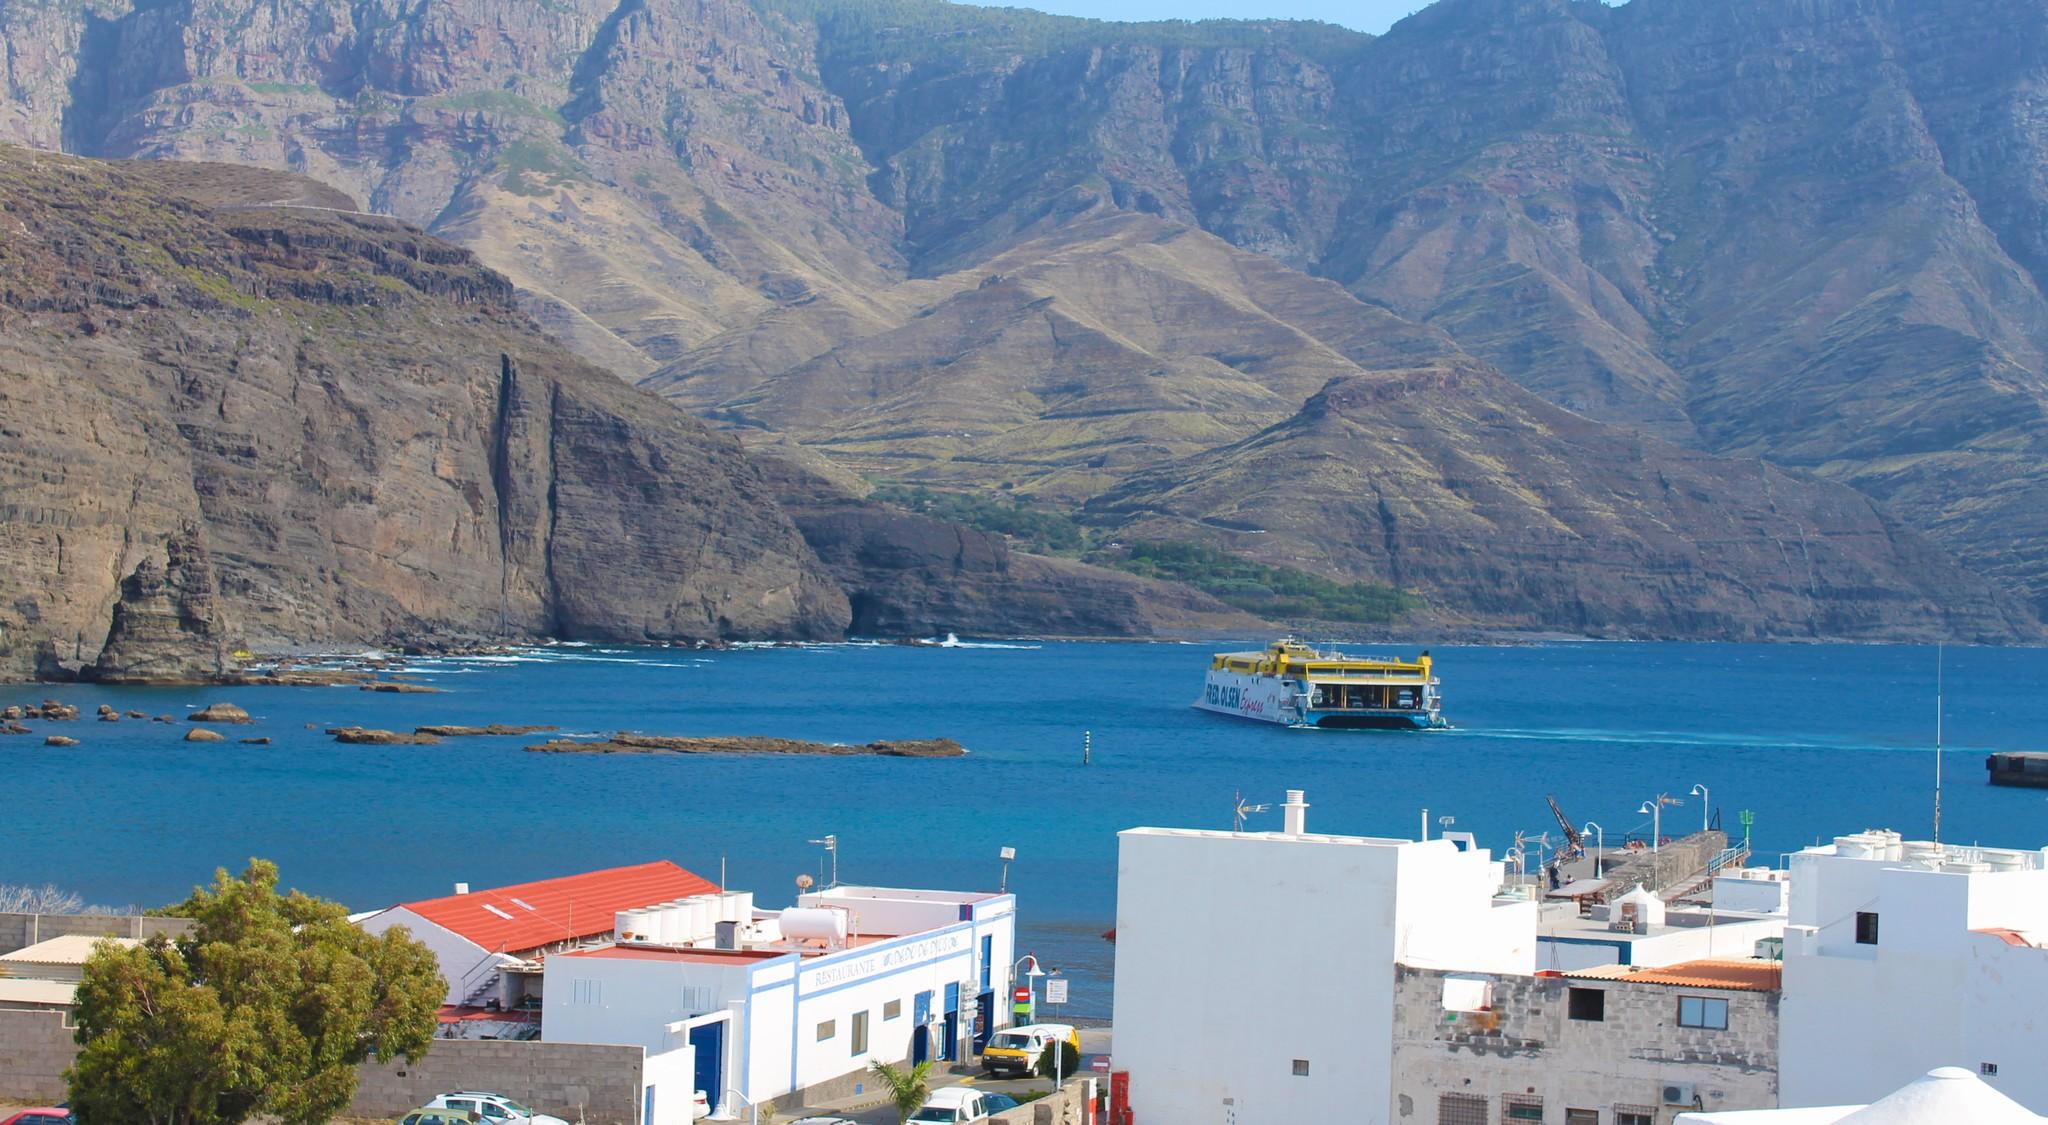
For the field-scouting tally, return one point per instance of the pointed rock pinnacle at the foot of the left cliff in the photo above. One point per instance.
(167, 624)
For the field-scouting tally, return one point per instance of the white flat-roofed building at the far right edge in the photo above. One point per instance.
(1910, 956)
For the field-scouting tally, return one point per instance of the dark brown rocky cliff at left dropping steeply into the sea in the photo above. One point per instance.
(349, 425)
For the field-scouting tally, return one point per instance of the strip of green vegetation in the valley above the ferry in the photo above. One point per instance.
(1269, 591)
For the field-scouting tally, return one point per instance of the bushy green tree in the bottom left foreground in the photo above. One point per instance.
(265, 1009)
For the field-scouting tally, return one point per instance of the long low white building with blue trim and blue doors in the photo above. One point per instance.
(798, 1001)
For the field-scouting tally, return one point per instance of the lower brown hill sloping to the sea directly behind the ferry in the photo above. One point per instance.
(1603, 530)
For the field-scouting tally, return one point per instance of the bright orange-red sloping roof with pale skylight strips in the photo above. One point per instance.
(577, 907)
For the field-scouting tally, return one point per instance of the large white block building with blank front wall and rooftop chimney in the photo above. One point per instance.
(1256, 970)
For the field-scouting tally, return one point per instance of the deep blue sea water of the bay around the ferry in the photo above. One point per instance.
(1816, 741)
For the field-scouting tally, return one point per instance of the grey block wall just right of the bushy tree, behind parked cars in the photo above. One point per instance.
(593, 1083)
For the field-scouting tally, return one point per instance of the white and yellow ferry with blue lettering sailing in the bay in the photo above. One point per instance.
(1295, 685)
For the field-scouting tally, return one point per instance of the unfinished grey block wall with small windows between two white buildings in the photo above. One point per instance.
(1529, 1046)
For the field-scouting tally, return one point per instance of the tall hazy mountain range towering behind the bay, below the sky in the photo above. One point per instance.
(982, 247)
